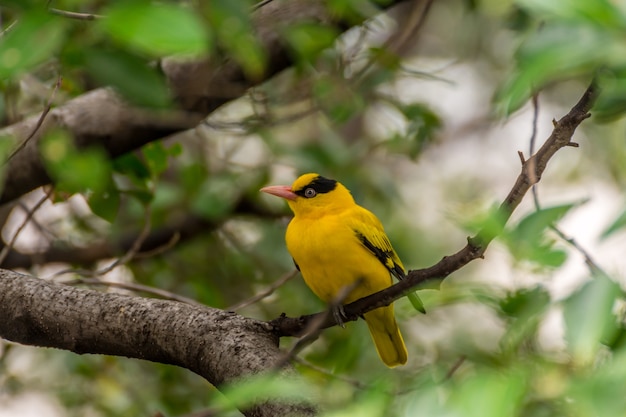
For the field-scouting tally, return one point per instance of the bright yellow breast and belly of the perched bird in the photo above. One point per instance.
(331, 257)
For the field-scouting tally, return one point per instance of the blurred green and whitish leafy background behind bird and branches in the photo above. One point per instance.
(428, 142)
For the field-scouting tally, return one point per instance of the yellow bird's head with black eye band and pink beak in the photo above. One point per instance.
(312, 195)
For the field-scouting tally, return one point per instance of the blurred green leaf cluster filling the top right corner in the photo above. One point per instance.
(568, 39)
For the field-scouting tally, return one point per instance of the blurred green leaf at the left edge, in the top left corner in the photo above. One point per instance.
(35, 37)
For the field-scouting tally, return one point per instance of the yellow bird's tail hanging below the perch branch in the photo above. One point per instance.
(386, 336)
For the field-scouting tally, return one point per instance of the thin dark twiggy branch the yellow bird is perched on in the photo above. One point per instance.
(532, 170)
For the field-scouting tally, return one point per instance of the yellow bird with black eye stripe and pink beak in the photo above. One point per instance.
(338, 245)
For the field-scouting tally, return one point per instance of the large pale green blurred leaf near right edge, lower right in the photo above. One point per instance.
(588, 316)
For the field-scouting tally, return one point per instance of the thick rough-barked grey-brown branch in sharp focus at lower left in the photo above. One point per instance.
(223, 347)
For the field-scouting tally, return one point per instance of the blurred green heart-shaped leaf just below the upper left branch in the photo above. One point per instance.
(75, 170)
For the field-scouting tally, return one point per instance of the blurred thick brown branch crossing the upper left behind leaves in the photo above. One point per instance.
(101, 118)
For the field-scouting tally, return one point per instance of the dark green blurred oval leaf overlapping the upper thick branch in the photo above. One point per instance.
(132, 77)
